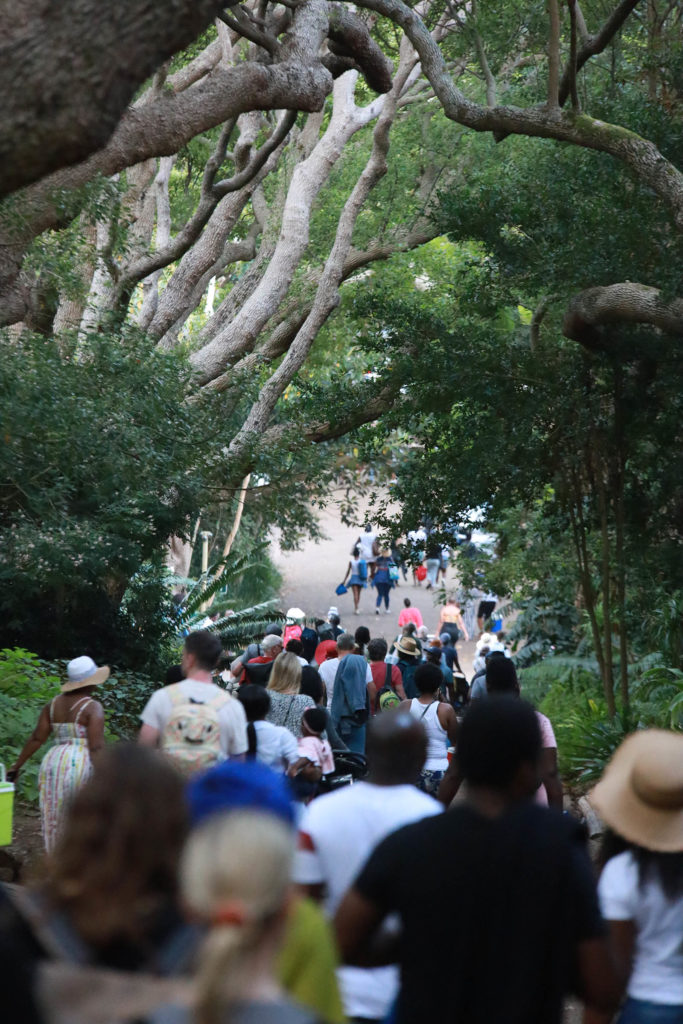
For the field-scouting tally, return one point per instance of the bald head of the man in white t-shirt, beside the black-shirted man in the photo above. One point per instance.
(397, 748)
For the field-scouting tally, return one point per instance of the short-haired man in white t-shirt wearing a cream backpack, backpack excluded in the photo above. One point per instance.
(200, 656)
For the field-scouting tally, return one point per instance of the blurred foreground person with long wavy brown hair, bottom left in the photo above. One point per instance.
(109, 908)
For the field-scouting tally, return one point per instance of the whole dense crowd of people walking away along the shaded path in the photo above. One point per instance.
(226, 870)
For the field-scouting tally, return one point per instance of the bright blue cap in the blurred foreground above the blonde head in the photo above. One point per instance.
(234, 786)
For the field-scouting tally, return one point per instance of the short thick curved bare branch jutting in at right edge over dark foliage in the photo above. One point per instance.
(627, 303)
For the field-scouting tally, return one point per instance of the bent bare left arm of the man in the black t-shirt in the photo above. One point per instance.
(361, 942)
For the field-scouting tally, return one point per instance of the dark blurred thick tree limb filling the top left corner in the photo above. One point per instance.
(69, 70)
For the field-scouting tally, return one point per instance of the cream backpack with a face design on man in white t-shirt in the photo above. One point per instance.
(192, 736)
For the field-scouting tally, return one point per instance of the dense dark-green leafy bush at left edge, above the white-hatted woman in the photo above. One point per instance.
(99, 472)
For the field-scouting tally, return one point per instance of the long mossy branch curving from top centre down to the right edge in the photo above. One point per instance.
(641, 155)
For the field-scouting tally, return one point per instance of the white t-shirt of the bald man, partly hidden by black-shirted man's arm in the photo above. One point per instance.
(337, 834)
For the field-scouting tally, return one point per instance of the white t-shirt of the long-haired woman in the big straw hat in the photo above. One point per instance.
(658, 964)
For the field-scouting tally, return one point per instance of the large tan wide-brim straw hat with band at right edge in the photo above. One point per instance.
(641, 795)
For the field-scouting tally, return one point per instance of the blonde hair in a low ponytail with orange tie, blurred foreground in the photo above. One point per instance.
(245, 858)
